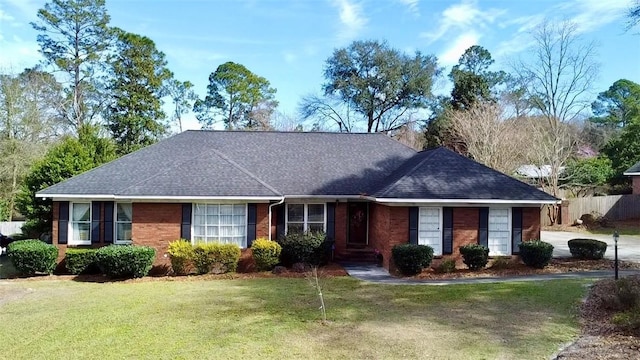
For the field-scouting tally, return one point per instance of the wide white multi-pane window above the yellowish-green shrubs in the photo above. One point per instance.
(221, 223)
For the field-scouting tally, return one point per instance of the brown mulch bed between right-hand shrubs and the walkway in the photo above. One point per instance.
(513, 268)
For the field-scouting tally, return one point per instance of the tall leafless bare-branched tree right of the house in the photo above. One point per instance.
(558, 76)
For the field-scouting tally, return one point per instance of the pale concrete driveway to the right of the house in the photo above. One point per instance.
(628, 245)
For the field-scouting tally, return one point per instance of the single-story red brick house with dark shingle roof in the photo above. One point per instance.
(366, 191)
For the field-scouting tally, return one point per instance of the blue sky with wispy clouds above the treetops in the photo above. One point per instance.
(287, 42)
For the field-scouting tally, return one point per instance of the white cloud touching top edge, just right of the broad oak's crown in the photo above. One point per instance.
(463, 16)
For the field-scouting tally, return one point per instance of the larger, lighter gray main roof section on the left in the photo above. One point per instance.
(243, 163)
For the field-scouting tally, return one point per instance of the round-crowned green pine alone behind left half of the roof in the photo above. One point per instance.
(242, 99)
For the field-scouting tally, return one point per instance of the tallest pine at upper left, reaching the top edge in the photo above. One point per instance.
(74, 38)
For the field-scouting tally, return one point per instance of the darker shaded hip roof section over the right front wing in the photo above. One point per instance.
(443, 174)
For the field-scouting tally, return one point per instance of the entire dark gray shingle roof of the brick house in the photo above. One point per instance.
(273, 164)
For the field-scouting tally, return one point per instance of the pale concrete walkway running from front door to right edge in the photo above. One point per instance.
(373, 273)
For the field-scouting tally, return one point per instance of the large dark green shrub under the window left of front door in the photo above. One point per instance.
(309, 248)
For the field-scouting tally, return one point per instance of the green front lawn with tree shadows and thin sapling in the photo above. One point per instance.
(279, 318)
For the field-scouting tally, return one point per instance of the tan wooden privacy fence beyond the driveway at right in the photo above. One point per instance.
(612, 207)
